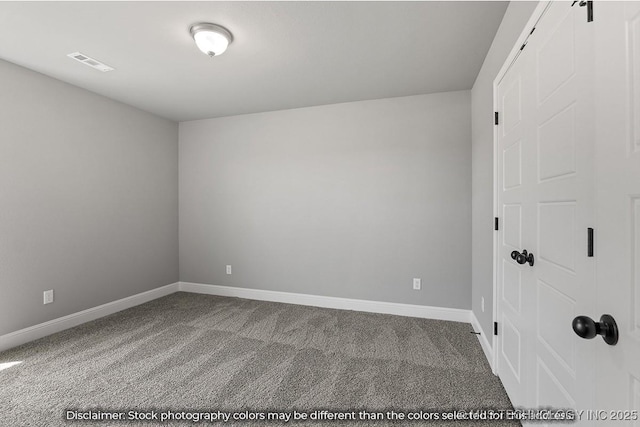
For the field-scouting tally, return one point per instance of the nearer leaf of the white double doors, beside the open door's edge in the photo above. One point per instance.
(563, 196)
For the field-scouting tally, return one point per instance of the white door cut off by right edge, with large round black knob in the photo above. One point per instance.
(618, 207)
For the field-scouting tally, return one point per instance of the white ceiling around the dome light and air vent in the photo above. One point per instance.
(284, 54)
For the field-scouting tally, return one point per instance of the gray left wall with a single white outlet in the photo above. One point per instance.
(88, 199)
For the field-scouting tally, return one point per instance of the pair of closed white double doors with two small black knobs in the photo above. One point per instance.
(545, 198)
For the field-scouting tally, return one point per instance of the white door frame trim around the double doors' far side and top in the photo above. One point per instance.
(537, 14)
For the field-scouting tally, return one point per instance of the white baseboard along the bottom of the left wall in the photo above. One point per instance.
(32, 333)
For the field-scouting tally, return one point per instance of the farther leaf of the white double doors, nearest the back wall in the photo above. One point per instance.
(514, 165)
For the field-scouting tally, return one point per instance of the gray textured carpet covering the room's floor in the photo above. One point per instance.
(190, 352)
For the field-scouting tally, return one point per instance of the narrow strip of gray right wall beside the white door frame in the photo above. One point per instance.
(513, 23)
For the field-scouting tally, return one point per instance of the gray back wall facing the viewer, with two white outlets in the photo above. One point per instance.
(350, 200)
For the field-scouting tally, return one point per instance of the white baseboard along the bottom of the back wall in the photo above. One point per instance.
(411, 310)
